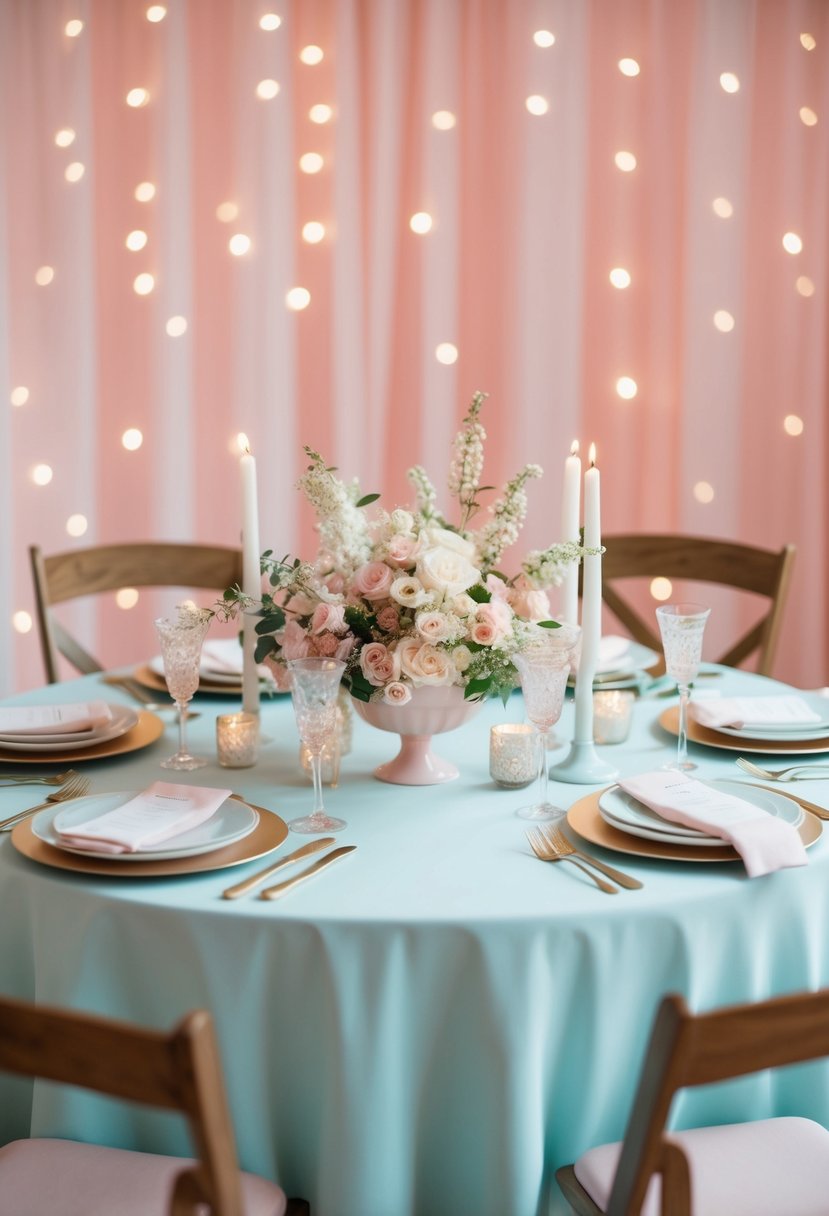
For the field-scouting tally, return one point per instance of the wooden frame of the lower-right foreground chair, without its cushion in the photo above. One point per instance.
(690, 1050)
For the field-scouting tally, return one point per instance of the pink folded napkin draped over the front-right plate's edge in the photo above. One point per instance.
(764, 842)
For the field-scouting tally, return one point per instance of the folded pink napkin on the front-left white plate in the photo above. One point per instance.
(159, 814)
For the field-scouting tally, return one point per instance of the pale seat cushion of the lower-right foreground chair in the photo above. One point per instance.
(770, 1168)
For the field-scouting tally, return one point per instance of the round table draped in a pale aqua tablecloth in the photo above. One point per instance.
(438, 1022)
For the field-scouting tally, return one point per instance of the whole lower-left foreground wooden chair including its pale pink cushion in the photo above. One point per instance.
(176, 1072)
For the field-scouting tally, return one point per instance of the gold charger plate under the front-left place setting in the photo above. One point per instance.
(269, 834)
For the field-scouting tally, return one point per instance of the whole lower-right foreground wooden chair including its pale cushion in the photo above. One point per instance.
(770, 1168)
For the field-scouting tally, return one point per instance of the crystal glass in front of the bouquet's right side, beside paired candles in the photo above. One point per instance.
(544, 667)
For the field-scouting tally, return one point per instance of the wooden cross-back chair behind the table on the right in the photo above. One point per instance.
(768, 573)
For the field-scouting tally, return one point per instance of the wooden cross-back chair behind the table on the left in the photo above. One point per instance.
(87, 572)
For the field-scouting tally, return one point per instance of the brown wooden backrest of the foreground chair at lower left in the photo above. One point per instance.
(179, 1071)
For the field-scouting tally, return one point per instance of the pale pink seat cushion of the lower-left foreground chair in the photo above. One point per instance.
(50, 1178)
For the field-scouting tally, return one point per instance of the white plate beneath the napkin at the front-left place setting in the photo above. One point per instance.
(232, 823)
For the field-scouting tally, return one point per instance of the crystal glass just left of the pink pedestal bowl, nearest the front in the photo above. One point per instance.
(314, 689)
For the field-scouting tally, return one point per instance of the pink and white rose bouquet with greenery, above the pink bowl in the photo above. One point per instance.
(410, 598)
